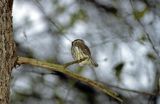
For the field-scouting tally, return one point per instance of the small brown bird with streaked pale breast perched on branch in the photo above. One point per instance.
(80, 51)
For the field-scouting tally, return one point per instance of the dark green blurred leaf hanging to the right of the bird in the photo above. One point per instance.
(118, 70)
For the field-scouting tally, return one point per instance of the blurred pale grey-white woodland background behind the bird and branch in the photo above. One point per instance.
(123, 36)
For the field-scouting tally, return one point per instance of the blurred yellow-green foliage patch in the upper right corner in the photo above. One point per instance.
(139, 14)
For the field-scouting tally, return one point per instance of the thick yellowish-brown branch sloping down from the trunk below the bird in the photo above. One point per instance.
(62, 69)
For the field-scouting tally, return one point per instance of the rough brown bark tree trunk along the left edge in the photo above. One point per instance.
(7, 49)
